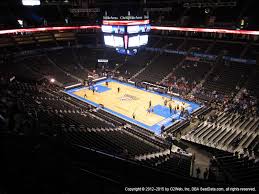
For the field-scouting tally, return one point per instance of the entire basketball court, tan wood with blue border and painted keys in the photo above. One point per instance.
(133, 103)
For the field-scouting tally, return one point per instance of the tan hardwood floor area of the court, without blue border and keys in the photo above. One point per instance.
(128, 101)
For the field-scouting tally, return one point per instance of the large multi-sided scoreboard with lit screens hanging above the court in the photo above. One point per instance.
(126, 35)
